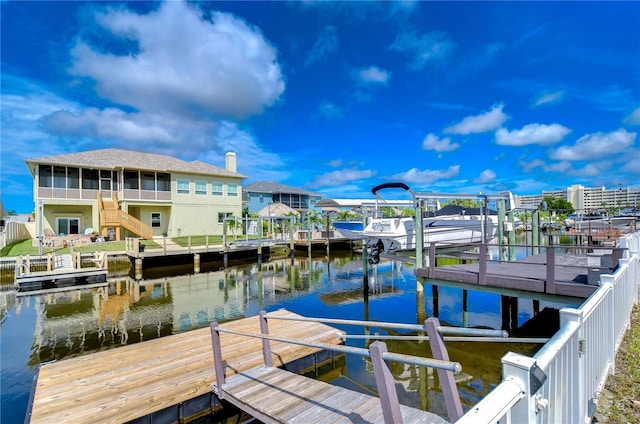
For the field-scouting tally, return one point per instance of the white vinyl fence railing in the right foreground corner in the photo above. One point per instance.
(563, 381)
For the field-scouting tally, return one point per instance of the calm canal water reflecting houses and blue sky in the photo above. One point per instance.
(39, 328)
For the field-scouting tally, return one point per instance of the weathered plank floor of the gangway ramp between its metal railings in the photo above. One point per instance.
(276, 396)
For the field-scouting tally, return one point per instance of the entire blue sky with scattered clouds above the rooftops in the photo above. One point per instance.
(333, 97)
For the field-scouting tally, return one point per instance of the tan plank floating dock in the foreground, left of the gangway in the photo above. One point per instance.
(138, 380)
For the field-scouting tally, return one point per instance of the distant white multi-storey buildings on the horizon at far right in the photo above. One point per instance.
(586, 199)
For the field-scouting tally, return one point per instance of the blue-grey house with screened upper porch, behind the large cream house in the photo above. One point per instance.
(258, 195)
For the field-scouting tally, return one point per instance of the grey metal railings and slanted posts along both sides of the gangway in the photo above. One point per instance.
(377, 352)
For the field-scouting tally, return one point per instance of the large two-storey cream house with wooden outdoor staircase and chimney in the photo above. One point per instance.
(122, 193)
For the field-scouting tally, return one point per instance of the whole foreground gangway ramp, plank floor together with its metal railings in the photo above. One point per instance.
(273, 395)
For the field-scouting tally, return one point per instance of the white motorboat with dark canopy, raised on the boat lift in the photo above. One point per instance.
(450, 225)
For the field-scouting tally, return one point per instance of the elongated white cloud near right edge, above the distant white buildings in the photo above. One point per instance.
(595, 146)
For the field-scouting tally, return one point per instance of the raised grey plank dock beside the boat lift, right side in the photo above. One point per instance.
(563, 275)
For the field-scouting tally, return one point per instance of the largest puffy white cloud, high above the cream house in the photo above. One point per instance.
(184, 64)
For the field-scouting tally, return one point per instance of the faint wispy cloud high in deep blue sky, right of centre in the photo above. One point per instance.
(424, 48)
